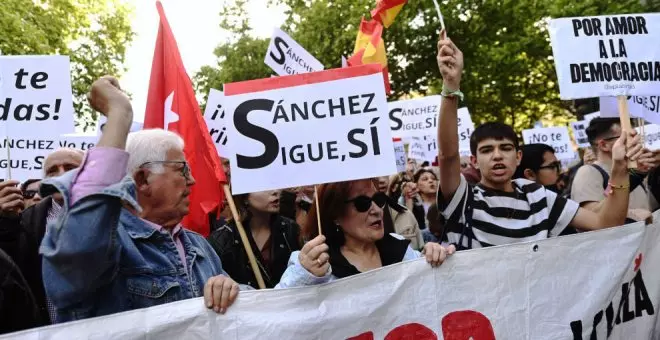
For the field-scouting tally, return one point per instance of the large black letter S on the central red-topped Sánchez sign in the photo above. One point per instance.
(267, 138)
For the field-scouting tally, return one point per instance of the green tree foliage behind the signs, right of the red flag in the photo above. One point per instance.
(509, 71)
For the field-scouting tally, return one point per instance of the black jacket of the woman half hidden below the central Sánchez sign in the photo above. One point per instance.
(284, 240)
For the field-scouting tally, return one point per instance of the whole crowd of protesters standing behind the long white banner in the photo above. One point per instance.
(102, 233)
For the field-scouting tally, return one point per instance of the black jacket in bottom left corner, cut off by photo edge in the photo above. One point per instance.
(18, 310)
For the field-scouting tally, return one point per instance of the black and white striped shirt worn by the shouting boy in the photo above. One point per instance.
(494, 218)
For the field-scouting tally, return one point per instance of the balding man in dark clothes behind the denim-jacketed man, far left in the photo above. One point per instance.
(21, 231)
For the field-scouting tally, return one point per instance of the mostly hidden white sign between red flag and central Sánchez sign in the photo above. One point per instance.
(216, 122)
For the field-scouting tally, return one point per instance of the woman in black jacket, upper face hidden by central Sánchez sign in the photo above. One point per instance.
(272, 237)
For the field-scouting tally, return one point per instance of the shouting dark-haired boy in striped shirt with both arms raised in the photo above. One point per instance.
(499, 210)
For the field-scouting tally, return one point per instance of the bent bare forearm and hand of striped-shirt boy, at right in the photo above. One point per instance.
(614, 208)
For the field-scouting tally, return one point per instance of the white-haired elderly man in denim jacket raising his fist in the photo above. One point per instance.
(119, 245)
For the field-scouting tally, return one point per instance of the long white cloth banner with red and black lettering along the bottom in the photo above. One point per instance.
(596, 285)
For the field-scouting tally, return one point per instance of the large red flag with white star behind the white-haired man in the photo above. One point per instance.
(172, 105)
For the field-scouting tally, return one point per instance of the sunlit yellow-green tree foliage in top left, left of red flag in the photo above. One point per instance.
(94, 33)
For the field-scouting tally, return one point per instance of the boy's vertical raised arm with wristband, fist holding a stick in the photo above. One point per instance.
(450, 62)
